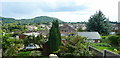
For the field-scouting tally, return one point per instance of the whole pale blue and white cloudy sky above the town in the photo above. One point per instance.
(65, 10)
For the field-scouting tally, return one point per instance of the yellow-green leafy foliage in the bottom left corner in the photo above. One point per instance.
(10, 46)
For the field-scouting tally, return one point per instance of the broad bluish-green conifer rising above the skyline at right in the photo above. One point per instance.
(99, 23)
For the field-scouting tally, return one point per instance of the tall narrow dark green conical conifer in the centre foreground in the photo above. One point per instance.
(54, 40)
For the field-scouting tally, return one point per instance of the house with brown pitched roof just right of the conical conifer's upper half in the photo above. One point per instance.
(66, 30)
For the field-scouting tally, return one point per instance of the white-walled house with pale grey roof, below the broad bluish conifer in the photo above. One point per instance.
(91, 36)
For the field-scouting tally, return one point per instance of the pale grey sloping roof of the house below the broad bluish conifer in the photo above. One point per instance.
(90, 35)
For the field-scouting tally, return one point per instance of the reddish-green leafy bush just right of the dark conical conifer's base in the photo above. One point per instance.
(75, 46)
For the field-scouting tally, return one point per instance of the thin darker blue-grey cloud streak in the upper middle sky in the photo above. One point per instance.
(65, 8)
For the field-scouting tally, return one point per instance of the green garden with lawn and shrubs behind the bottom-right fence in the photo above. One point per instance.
(111, 43)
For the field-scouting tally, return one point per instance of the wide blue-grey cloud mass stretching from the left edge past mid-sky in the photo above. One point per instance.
(27, 9)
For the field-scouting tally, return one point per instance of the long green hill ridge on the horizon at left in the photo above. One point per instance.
(40, 19)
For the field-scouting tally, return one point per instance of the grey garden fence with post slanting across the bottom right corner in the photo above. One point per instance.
(105, 54)
